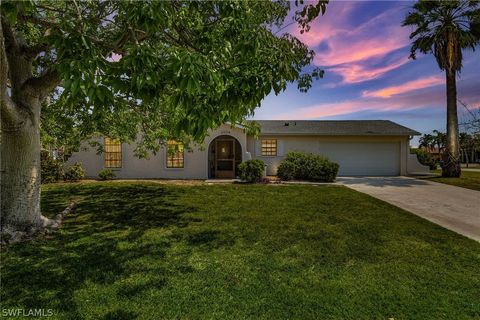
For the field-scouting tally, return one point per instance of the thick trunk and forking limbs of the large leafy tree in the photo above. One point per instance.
(20, 107)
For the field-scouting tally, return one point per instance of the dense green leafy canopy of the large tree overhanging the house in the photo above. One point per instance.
(164, 69)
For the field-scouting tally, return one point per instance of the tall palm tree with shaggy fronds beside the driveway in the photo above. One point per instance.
(445, 28)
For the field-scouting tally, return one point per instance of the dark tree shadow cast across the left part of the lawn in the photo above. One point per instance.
(87, 249)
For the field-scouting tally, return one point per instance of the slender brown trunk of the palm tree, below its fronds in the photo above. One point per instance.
(451, 165)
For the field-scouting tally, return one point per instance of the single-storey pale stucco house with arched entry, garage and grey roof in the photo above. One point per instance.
(360, 147)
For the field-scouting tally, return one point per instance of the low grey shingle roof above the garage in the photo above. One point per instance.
(334, 128)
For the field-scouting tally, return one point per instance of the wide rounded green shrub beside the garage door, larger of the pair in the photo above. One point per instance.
(307, 166)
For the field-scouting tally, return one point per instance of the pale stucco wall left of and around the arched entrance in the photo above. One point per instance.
(195, 161)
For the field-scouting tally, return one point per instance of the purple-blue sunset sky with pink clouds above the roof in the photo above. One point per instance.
(364, 51)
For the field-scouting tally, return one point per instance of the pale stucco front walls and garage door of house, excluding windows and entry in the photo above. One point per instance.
(356, 155)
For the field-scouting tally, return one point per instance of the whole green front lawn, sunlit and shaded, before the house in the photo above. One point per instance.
(150, 251)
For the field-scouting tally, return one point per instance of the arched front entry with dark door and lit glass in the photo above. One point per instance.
(225, 154)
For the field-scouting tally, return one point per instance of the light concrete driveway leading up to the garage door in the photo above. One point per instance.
(454, 208)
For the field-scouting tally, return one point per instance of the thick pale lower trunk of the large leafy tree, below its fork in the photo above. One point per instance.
(20, 177)
